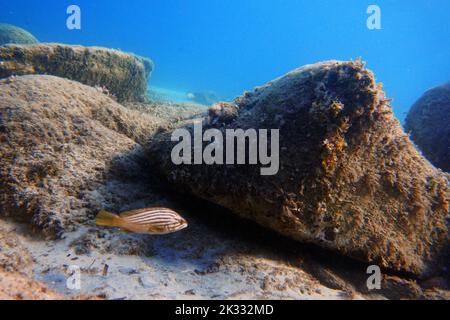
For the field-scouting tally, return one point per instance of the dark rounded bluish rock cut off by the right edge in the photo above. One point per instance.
(428, 121)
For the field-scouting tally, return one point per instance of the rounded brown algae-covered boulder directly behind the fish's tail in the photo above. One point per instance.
(67, 151)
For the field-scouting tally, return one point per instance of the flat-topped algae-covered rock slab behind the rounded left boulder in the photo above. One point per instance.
(124, 75)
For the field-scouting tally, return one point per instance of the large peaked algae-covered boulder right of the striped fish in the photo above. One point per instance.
(349, 178)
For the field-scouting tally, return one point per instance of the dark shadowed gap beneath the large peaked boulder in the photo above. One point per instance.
(331, 269)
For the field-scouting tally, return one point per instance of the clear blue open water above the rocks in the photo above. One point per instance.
(229, 46)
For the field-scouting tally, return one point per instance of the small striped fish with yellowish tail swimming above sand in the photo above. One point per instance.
(154, 221)
